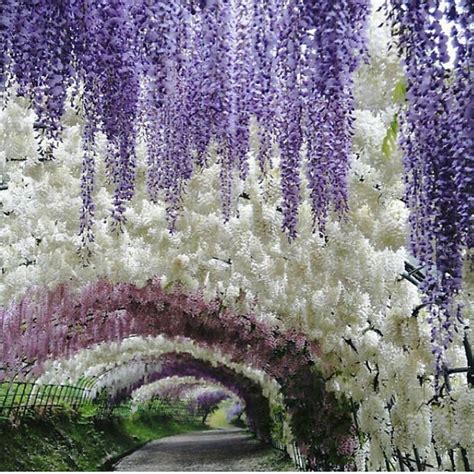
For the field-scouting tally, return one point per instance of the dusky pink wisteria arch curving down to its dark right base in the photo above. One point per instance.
(46, 325)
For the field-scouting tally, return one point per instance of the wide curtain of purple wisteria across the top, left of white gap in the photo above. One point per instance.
(190, 74)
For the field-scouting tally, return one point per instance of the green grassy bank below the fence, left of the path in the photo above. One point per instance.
(64, 441)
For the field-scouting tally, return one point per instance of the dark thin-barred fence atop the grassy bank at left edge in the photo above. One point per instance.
(17, 398)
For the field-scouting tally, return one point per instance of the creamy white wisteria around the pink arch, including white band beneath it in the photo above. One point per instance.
(342, 289)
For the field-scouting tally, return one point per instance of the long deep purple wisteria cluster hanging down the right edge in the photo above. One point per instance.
(437, 144)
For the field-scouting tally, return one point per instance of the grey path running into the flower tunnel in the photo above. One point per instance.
(213, 450)
